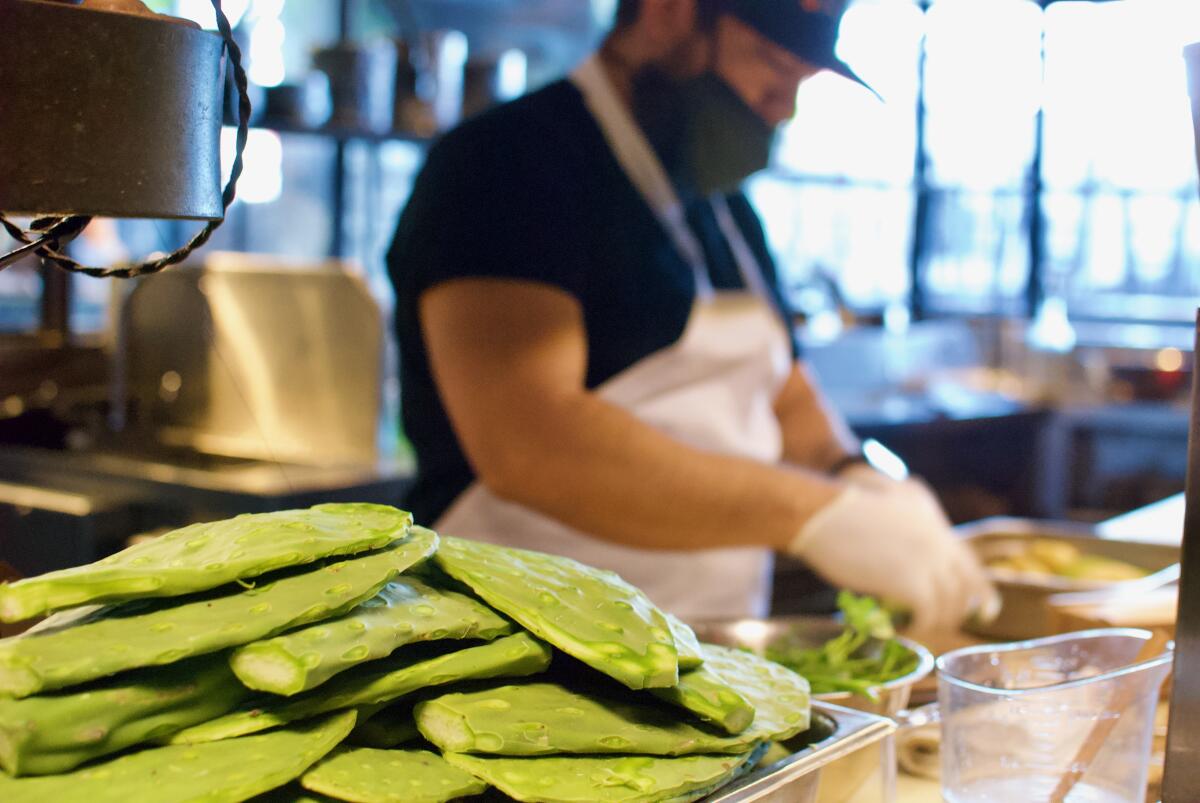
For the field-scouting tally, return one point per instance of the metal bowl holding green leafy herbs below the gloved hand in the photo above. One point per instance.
(813, 632)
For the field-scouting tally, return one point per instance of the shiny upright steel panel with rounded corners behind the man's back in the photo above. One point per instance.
(254, 358)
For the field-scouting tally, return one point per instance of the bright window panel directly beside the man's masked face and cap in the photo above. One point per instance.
(838, 206)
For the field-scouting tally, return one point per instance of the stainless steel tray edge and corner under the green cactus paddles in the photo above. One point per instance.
(797, 778)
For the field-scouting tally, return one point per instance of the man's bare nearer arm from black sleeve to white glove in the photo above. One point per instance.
(509, 359)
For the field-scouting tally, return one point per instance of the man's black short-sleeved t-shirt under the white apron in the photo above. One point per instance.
(532, 191)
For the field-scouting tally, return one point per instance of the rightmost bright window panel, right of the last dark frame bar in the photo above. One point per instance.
(1120, 167)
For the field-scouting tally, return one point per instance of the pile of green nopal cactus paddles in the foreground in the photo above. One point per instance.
(344, 654)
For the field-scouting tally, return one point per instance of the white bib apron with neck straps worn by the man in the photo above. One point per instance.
(713, 391)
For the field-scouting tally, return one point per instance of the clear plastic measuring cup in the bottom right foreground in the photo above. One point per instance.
(1015, 717)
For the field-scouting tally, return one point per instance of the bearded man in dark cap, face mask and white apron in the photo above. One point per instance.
(597, 359)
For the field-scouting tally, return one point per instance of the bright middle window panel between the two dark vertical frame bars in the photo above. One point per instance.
(983, 74)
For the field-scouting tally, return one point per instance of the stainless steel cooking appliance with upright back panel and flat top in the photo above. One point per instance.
(251, 386)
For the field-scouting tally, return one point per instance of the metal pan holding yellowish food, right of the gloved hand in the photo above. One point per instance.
(1025, 614)
